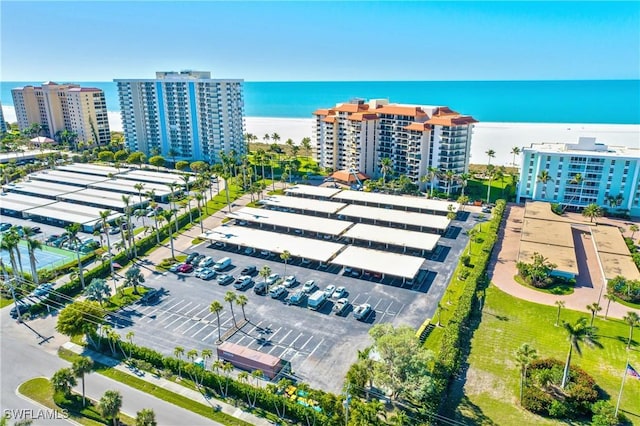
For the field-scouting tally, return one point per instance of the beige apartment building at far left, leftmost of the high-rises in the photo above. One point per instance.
(59, 107)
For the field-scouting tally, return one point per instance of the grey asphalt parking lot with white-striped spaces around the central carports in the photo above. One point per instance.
(315, 342)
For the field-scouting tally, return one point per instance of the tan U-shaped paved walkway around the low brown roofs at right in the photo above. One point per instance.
(589, 287)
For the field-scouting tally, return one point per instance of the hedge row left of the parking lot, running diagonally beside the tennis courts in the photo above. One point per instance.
(74, 287)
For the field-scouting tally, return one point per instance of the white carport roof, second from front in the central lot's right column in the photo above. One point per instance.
(396, 237)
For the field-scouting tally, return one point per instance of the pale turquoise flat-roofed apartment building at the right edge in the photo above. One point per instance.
(581, 174)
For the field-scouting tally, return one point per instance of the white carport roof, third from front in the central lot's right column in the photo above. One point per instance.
(396, 216)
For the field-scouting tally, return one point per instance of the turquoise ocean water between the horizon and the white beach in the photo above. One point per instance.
(576, 101)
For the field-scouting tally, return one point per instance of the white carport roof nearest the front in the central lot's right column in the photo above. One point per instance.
(399, 265)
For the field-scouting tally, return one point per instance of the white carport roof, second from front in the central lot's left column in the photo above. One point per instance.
(292, 220)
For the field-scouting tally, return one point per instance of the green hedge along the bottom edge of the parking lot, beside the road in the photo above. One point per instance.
(265, 399)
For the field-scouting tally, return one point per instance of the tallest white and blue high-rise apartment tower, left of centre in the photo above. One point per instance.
(187, 113)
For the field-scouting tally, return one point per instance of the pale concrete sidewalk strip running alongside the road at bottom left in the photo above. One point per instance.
(169, 385)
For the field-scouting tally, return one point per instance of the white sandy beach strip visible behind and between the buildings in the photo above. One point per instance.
(501, 137)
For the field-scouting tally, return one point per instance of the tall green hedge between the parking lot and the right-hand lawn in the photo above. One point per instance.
(449, 357)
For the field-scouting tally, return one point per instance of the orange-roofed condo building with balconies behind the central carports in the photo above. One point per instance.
(358, 135)
